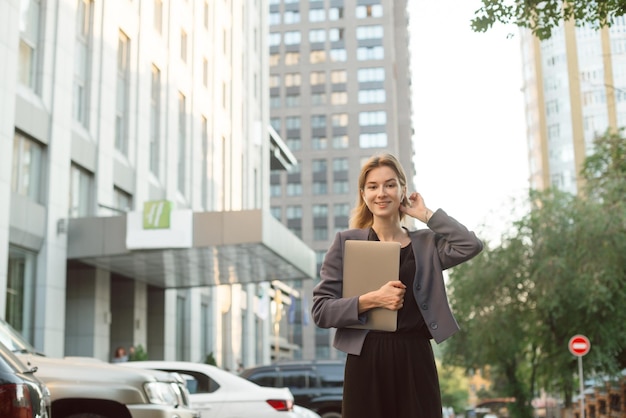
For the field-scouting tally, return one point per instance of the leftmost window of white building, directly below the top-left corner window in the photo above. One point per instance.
(26, 169)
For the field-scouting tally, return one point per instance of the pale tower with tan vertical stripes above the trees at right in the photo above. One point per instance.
(575, 88)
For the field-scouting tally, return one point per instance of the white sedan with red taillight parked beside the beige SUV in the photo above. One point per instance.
(217, 393)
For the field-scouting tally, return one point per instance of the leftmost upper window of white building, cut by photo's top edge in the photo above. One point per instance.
(30, 23)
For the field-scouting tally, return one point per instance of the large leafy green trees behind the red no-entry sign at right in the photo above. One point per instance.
(560, 273)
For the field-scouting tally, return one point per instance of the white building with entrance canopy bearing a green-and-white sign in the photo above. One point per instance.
(135, 158)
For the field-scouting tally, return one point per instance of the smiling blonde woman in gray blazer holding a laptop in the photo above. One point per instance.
(393, 374)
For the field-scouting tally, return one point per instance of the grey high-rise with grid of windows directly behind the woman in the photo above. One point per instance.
(340, 91)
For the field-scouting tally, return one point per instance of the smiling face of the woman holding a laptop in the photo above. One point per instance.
(382, 192)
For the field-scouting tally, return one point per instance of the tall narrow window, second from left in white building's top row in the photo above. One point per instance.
(83, 60)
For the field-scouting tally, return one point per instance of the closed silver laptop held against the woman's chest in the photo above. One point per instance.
(367, 265)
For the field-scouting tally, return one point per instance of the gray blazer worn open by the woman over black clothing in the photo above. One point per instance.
(445, 244)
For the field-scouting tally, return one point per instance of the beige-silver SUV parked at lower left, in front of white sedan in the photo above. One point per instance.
(90, 387)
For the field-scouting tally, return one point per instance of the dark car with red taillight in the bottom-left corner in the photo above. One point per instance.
(22, 394)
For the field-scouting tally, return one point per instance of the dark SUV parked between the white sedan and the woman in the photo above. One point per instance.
(315, 384)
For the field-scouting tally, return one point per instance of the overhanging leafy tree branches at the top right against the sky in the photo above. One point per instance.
(542, 16)
